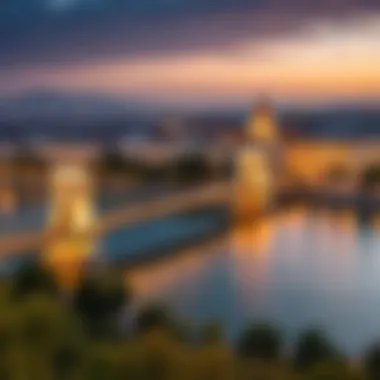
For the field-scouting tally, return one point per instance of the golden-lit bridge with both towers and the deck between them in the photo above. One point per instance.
(72, 229)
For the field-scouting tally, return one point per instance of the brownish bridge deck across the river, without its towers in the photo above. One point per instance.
(182, 201)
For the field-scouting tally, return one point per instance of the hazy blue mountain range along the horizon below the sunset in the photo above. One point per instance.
(49, 113)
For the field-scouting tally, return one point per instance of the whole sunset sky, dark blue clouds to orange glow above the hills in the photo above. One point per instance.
(218, 52)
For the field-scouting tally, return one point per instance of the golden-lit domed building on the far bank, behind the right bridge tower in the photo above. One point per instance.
(308, 160)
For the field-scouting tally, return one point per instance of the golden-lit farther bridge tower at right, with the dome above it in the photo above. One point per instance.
(257, 163)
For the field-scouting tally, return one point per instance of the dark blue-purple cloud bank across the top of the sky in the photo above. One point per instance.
(33, 33)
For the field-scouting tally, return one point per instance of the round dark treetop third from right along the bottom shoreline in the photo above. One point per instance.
(260, 341)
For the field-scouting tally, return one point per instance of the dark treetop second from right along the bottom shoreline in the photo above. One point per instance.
(312, 348)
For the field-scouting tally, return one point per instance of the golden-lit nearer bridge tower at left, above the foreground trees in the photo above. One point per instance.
(71, 217)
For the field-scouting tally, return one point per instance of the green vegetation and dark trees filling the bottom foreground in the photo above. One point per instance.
(45, 334)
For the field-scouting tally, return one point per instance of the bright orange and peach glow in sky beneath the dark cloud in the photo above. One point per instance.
(323, 60)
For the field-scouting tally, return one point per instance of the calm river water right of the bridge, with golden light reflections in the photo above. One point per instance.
(300, 268)
